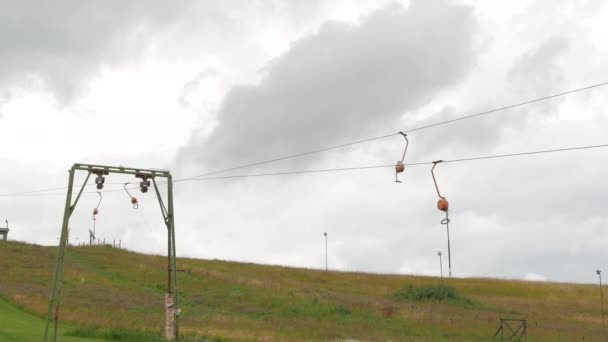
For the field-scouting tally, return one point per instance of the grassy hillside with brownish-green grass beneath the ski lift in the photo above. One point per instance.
(111, 293)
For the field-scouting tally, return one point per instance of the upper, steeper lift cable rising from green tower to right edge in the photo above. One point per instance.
(407, 131)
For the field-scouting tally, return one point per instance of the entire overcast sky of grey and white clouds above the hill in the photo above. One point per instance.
(200, 86)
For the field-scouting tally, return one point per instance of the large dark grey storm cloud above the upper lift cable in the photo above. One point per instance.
(343, 82)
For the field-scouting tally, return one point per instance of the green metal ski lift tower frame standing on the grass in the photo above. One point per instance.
(172, 311)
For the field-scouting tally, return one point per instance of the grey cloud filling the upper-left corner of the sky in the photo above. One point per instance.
(59, 45)
